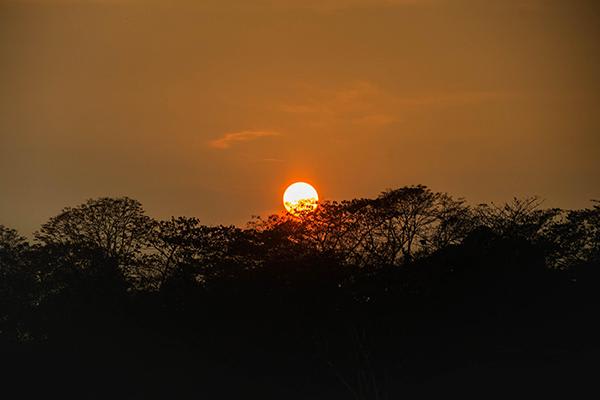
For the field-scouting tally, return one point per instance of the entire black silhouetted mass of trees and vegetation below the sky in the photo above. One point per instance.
(411, 294)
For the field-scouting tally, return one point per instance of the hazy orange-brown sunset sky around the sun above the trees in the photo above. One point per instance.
(209, 108)
